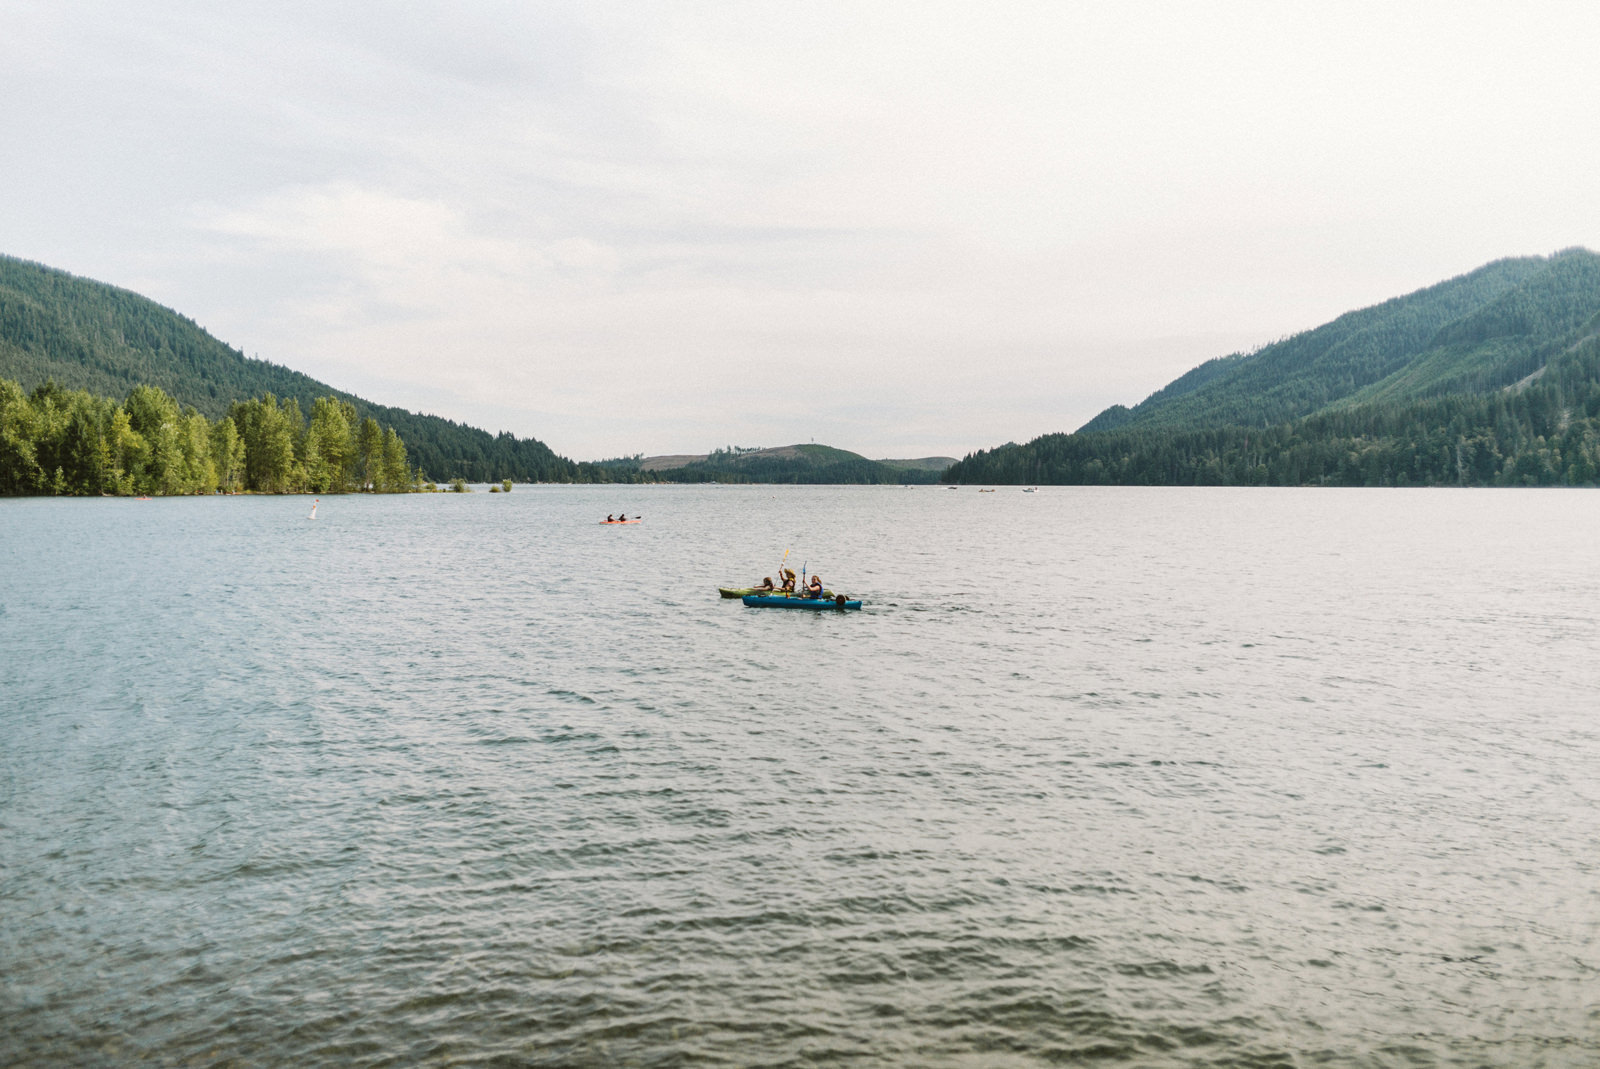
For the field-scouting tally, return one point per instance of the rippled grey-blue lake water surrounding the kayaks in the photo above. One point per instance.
(1098, 777)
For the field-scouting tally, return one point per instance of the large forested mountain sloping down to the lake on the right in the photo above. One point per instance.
(1492, 378)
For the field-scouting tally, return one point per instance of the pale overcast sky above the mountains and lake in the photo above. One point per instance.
(905, 230)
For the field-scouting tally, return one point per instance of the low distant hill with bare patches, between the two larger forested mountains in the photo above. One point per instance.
(807, 463)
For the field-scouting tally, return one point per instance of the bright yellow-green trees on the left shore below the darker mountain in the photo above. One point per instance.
(71, 442)
